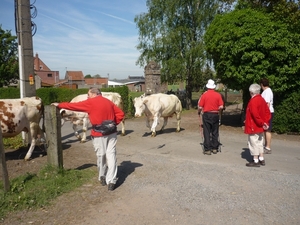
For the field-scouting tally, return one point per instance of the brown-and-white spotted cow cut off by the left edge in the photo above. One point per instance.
(17, 115)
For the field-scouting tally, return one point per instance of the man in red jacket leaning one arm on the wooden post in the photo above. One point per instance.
(104, 116)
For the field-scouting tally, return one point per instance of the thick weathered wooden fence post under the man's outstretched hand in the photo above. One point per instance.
(53, 134)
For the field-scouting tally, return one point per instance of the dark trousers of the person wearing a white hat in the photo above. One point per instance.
(211, 131)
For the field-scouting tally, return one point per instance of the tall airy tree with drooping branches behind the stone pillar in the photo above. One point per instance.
(171, 34)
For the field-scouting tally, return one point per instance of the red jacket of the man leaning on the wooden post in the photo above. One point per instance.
(98, 109)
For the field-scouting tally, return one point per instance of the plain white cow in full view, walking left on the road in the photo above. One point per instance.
(158, 105)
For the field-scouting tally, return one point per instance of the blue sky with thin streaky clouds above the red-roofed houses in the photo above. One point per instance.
(95, 36)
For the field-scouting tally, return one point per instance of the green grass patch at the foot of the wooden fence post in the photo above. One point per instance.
(32, 191)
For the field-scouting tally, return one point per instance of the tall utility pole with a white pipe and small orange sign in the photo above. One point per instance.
(25, 49)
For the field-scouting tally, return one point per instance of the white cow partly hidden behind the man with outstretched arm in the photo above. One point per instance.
(82, 118)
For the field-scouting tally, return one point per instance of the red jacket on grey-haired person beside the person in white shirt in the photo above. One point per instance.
(257, 113)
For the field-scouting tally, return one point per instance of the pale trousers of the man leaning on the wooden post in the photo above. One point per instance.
(105, 148)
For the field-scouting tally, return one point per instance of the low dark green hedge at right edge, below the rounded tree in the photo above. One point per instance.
(287, 115)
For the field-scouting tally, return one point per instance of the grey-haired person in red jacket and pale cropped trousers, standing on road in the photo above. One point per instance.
(257, 121)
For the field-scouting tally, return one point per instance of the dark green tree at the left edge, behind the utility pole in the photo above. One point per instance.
(8, 58)
